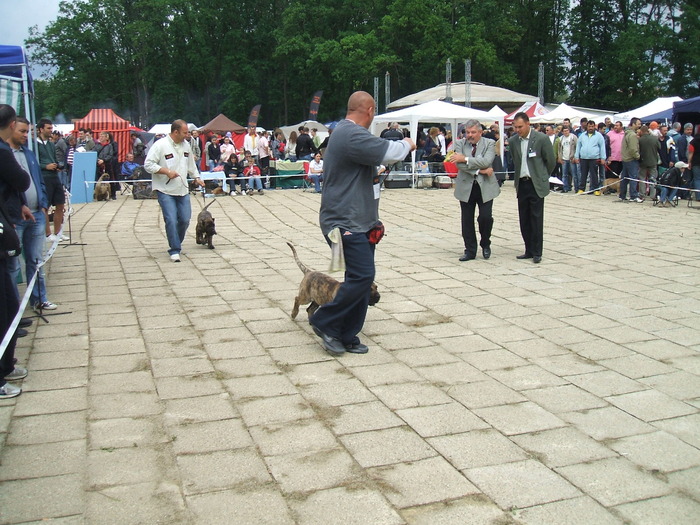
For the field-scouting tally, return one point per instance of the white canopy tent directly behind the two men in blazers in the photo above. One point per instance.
(435, 112)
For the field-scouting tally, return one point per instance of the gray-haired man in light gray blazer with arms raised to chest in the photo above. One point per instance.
(476, 186)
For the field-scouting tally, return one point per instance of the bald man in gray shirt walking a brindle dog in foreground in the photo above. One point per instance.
(350, 203)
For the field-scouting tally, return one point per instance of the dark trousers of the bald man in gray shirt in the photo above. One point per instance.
(344, 317)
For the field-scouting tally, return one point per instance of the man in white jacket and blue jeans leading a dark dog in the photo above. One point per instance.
(170, 161)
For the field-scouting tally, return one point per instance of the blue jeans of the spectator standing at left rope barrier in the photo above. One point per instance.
(32, 235)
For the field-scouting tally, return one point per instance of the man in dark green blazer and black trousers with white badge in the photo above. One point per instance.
(534, 160)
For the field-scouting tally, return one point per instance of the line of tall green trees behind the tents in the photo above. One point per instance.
(155, 60)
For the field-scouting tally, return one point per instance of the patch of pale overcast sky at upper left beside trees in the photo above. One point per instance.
(20, 15)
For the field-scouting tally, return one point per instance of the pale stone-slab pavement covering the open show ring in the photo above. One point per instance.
(495, 391)
